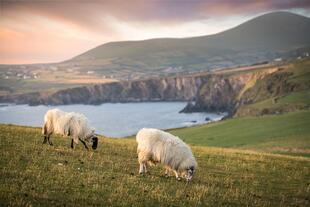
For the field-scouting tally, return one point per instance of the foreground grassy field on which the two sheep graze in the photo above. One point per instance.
(33, 174)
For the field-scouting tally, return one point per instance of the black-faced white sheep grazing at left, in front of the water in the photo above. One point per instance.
(70, 124)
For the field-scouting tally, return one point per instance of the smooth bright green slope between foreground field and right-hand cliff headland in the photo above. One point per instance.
(287, 133)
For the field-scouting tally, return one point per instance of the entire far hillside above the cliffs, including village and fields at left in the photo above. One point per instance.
(280, 35)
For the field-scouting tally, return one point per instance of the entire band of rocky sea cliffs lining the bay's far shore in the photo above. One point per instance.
(216, 93)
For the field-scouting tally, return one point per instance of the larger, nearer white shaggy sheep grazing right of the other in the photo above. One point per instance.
(156, 146)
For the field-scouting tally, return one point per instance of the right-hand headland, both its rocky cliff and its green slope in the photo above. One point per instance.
(284, 88)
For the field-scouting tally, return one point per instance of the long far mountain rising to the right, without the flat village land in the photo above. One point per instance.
(264, 38)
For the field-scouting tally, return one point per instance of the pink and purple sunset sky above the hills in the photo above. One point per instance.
(40, 31)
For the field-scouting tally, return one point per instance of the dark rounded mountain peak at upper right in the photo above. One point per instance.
(274, 32)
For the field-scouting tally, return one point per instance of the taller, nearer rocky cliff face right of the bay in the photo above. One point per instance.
(220, 93)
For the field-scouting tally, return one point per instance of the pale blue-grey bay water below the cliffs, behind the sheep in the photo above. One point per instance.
(113, 119)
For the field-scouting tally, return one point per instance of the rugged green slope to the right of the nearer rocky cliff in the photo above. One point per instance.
(283, 91)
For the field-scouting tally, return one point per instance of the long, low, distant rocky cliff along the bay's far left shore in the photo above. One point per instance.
(160, 89)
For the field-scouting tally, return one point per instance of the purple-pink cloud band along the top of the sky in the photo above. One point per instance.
(90, 13)
